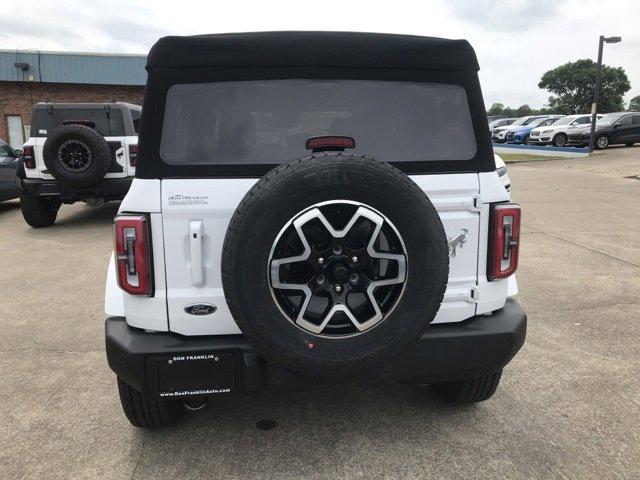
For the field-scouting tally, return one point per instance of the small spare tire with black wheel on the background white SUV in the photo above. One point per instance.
(77, 155)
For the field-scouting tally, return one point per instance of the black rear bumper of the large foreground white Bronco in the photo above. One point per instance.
(171, 365)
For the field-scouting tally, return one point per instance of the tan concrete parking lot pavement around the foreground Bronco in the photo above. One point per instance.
(568, 405)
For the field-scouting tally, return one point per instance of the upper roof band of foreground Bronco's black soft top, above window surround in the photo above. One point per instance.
(312, 49)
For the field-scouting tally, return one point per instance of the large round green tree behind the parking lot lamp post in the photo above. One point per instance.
(573, 85)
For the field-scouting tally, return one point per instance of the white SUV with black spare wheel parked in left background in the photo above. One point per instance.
(77, 152)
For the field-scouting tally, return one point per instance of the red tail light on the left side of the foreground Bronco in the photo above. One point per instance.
(133, 254)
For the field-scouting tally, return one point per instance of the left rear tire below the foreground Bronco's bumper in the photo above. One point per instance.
(145, 413)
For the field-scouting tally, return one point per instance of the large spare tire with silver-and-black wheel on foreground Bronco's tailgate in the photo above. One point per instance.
(334, 264)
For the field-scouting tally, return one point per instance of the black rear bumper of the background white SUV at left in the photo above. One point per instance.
(108, 188)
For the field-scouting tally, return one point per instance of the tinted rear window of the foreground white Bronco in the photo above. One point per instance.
(268, 122)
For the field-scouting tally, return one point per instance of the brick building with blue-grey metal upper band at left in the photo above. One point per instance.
(28, 77)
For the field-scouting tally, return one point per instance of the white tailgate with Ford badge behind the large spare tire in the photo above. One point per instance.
(196, 213)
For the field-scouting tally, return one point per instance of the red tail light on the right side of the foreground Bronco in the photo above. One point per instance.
(505, 240)
